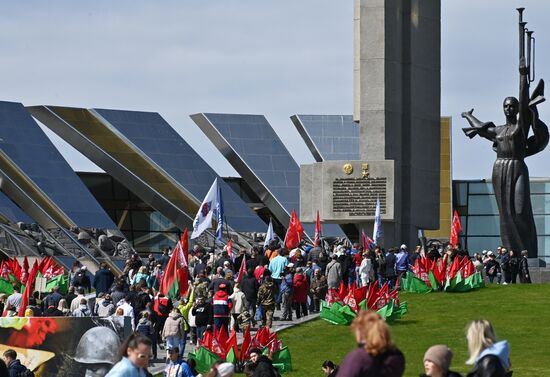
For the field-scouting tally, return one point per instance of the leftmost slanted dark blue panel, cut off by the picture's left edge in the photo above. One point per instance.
(24, 142)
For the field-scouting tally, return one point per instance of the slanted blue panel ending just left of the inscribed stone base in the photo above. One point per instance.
(264, 155)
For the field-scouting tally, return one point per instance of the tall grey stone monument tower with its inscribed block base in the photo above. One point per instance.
(397, 107)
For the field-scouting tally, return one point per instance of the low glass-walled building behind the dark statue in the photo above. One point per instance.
(477, 207)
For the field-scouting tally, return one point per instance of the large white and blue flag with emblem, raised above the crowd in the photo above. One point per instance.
(212, 205)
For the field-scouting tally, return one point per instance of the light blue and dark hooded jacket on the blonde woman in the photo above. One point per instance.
(493, 361)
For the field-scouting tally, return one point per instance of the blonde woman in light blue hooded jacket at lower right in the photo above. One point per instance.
(489, 357)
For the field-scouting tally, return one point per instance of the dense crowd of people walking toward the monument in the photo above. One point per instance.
(292, 281)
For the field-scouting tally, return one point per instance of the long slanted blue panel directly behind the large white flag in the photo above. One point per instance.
(161, 143)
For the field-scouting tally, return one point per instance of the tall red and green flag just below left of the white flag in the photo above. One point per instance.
(175, 281)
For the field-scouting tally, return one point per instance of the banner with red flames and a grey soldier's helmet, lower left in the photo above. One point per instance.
(64, 346)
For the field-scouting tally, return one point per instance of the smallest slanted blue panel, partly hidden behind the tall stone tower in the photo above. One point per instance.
(334, 137)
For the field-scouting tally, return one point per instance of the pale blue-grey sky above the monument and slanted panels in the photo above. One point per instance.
(275, 58)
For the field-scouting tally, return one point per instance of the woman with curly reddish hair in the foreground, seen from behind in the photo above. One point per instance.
(376, 355)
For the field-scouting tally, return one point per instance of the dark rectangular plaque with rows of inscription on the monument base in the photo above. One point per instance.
(357, 196)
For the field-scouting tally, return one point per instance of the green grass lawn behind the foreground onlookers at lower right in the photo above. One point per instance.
(519, 313)
